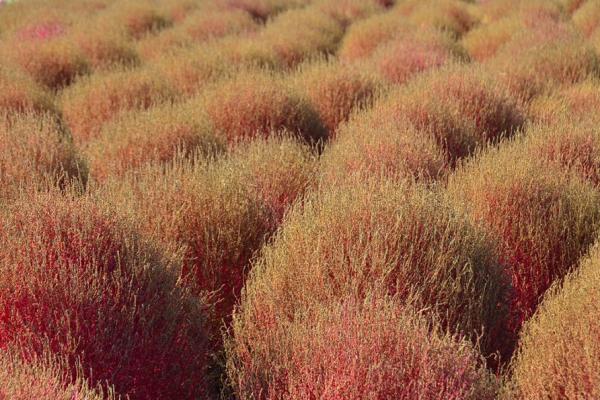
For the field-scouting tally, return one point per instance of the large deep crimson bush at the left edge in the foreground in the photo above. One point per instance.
(77, 282)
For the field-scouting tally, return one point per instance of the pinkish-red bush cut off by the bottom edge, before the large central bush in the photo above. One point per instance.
(376, 350)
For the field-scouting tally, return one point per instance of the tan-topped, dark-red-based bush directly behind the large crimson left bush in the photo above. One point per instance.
(203, 213)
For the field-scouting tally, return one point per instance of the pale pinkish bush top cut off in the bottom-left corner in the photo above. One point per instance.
(42, 378)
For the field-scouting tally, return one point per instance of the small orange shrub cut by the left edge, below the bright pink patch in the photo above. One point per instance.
(19, 93)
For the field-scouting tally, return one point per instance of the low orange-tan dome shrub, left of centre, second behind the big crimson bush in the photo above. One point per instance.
(156, 135)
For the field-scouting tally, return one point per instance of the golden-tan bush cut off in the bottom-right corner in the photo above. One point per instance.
(559, 355)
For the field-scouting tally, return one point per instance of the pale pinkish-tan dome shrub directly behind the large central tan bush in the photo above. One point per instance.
(373, 145)
